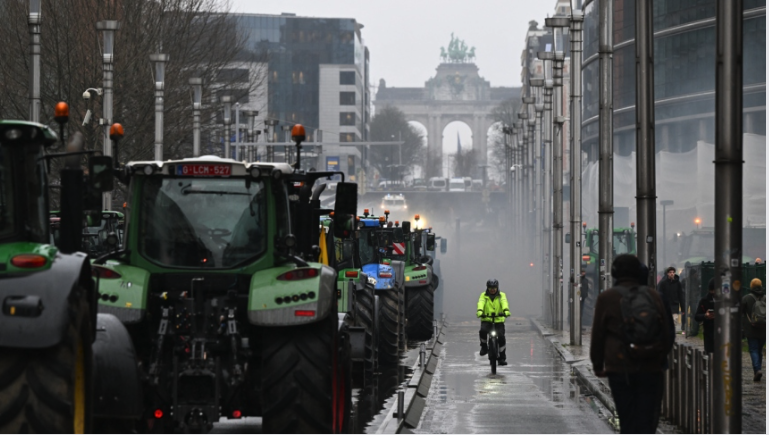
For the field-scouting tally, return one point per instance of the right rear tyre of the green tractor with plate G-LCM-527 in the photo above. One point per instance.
(306, 386)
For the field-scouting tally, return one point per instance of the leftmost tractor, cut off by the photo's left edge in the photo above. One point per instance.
(63, 367)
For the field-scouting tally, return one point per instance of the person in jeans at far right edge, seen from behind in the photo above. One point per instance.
(753, 309)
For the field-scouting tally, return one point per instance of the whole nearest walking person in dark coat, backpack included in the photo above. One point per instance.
(624, 315)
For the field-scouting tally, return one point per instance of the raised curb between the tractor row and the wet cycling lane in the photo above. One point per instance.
(415, 394)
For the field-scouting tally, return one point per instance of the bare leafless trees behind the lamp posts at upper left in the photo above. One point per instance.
(200, 38)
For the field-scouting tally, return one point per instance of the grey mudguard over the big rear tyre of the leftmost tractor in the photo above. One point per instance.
(53, 287)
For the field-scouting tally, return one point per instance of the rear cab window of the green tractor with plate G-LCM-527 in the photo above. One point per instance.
(210, 223)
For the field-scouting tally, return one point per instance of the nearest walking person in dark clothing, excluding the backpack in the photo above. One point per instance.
(636, 385)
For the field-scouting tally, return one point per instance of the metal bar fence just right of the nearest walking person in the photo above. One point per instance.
(688, 398)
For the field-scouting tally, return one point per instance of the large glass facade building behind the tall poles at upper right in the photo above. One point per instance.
(684, 74)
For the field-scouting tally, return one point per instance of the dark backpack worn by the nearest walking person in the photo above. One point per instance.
(643, 324)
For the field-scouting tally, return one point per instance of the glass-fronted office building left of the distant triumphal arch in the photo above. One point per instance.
(295, 48)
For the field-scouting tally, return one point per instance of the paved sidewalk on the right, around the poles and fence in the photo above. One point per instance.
(753, 393)
